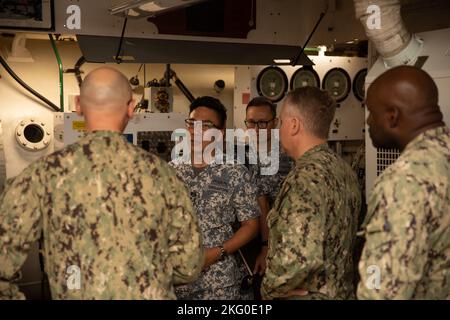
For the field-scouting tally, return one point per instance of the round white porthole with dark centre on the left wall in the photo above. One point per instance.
(33, 135)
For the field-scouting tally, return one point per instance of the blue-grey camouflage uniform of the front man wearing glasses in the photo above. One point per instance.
(221, 194)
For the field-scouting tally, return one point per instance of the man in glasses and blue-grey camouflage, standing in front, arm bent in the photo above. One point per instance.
(221, 193)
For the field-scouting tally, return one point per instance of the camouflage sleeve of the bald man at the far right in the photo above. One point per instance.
(395, 252)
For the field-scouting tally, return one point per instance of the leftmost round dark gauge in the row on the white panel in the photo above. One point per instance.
(272, 83)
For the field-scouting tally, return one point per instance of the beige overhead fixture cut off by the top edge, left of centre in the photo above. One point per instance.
(147, 8)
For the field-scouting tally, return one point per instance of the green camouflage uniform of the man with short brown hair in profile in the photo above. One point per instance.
(312, 229)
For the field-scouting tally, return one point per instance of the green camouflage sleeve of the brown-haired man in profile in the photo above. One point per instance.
(295, 240)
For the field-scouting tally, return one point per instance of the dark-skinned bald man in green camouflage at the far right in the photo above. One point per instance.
(407, 229)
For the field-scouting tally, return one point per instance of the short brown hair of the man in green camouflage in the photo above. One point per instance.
(316, 106)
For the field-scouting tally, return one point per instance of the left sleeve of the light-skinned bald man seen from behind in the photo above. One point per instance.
(20, 227)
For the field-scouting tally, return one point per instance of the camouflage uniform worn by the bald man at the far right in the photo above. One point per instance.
(407, 228)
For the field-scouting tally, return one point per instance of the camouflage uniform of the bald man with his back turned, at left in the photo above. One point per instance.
(106, 208)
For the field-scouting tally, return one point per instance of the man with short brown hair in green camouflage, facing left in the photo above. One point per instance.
(313, 222)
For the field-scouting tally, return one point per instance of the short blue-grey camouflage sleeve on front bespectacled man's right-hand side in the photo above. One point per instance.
(244, 197)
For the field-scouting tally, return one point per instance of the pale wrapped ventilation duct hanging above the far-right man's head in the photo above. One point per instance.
(385, 28)
